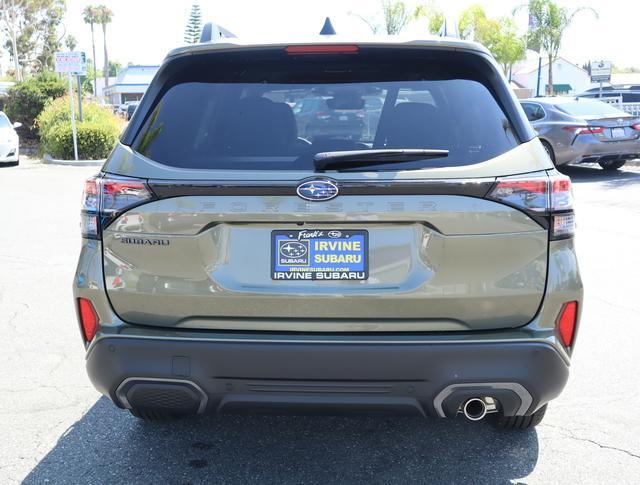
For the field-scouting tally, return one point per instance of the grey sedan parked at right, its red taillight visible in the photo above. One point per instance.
(579, 130)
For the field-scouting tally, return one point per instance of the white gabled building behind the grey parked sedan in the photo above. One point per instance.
(568, 78)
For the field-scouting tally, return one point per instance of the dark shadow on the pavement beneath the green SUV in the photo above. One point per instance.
(109, 446)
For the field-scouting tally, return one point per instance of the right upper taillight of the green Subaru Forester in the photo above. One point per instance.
(542, 196)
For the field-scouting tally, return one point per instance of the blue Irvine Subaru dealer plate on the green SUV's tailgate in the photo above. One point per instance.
(319, 254)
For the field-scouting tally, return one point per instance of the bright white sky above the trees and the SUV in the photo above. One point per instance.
(143, 31)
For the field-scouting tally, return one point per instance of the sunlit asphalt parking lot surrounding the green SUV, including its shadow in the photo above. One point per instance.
(57, 429)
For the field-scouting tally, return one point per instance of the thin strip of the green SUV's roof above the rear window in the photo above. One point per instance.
(373, 41)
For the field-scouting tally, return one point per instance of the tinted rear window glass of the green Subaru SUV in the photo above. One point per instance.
(276, 116)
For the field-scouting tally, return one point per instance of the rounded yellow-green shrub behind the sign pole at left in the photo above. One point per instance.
(97, 133)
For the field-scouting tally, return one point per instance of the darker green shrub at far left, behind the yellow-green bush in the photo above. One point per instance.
(26, 100)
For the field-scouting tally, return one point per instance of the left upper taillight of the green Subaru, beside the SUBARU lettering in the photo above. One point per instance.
(104, 198)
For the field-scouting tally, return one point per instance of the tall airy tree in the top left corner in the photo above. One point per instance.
(31, 30)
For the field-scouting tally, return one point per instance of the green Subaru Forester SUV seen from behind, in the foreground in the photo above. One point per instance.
(333, 226)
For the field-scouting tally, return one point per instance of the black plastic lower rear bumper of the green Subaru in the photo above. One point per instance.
(223, 375)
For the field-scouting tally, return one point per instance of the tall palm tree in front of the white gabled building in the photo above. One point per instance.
(550, 22)
